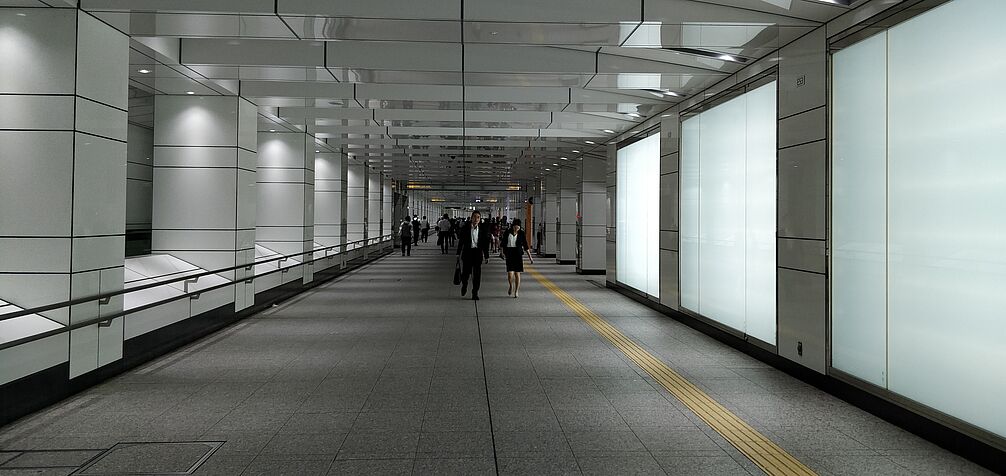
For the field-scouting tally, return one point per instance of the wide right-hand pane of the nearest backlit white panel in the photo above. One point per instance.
(947, 187)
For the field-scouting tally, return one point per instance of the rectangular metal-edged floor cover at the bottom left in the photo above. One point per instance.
(151, 458)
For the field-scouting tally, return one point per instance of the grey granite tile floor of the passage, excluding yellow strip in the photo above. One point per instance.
(389, 371)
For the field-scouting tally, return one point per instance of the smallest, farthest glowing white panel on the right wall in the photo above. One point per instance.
(638, 230)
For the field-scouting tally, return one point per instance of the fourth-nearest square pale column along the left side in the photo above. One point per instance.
(330, 199)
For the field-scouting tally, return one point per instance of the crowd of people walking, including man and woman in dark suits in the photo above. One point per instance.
(476, 241)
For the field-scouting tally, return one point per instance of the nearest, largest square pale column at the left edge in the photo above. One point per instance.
(63, 185)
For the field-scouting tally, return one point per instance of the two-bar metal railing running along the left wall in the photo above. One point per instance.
(106, 298)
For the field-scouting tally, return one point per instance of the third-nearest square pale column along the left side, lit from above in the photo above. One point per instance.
(286, 197)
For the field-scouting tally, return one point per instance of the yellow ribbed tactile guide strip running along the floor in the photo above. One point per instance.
(762, 451)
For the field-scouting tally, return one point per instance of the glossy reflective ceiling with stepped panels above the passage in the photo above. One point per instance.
(475, 92)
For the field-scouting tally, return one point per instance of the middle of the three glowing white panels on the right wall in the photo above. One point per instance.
(729, 214)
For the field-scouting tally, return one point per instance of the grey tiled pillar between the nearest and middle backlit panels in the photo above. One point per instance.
(803, 193)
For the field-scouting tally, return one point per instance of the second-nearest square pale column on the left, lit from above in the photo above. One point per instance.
(205, 186)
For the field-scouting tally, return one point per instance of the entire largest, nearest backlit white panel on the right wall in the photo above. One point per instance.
(944, 221)
